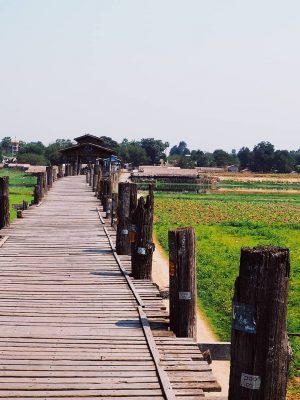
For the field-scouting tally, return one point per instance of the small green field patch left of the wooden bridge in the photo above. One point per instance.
(21, 186)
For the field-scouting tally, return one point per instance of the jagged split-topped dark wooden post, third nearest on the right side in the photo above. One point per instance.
(143, 246)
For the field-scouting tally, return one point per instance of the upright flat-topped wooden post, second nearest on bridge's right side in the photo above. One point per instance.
(182, 273)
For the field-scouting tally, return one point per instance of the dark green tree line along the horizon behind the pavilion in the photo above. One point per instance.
(262, 158)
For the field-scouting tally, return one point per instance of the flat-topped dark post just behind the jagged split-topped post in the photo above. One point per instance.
(127, 200)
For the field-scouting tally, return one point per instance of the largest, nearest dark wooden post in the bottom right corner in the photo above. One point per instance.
(259, 344)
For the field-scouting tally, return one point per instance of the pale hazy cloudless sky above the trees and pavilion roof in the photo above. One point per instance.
(215, 73)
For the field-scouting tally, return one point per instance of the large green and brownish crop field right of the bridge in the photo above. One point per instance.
(223, 224)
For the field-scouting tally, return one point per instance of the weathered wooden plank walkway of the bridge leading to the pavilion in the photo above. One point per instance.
(74, 325)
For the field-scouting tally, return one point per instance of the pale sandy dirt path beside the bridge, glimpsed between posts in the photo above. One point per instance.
(160, 275)
